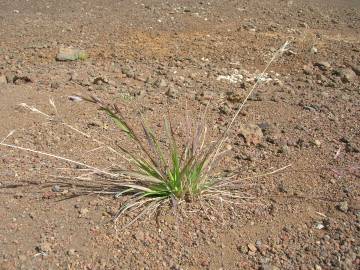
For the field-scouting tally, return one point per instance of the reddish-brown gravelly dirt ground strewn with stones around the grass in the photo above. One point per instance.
(151, 56)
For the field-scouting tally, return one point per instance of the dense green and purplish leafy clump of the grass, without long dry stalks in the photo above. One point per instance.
(157, 175)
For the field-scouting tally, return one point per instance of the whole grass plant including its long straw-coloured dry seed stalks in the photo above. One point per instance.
(158, 173)
